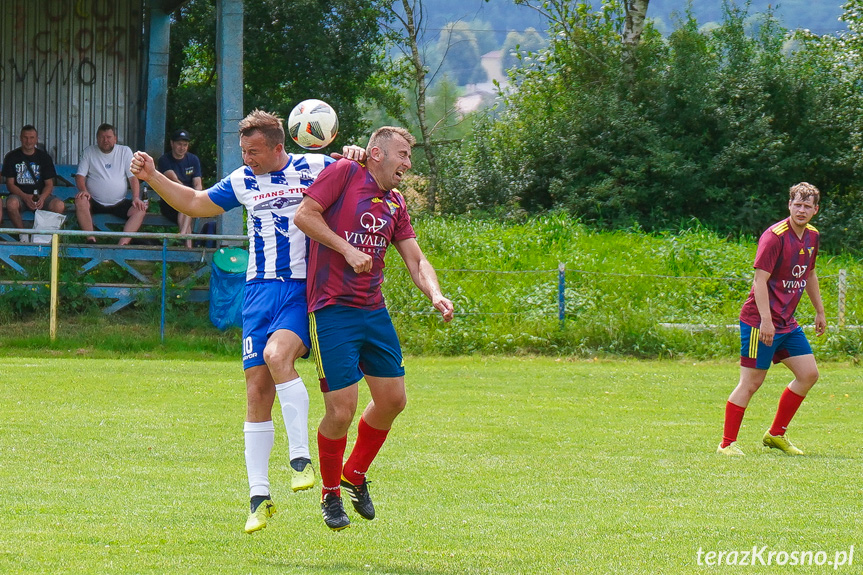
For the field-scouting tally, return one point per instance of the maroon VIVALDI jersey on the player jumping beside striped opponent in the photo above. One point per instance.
(370, 219)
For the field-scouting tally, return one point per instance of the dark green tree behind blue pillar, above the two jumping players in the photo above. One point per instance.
(333, 51)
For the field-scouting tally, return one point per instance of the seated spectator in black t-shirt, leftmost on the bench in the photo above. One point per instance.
(29, 174)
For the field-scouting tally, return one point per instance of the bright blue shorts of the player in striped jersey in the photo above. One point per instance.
(268, 306)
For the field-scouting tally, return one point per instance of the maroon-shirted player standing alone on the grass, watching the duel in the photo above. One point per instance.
(784, 269)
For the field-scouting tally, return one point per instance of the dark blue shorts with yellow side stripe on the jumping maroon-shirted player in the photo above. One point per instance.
(348, 343)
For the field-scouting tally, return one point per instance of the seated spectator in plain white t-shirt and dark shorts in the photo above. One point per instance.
(102, 178)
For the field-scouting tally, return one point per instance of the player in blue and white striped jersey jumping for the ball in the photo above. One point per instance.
(275, 325)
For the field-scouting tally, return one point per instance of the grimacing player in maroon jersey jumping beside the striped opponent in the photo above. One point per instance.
(352, 213)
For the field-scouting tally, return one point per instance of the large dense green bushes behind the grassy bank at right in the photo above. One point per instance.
(713, 124)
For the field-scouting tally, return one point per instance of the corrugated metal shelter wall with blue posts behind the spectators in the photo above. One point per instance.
(67, 66)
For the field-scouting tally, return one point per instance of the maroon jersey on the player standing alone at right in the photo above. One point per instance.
(789, 260)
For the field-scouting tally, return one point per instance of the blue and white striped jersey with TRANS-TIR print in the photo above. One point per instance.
(277, 249)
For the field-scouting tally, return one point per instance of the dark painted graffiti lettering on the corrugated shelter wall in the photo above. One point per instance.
(67, 39)
